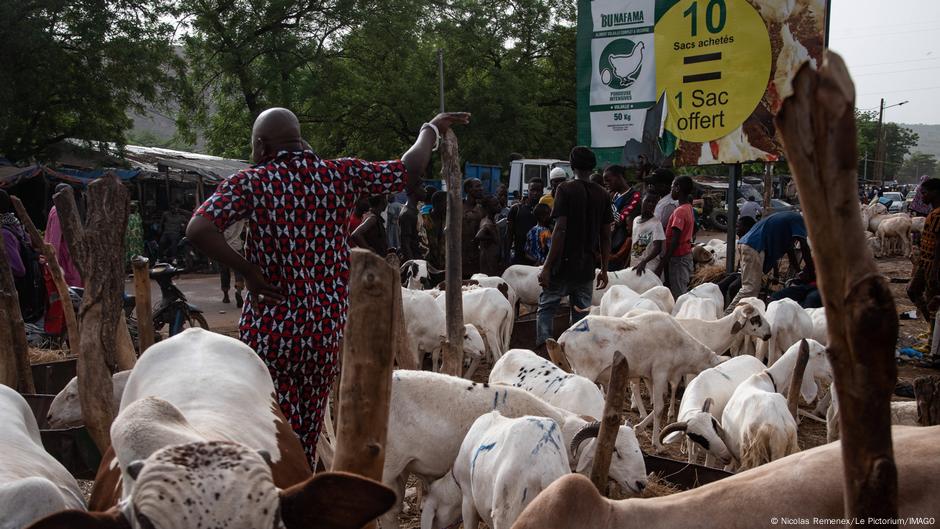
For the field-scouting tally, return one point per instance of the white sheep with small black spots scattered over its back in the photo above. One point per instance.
(524, 369)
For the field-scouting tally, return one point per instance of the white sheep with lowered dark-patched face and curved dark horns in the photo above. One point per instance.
(703, 402)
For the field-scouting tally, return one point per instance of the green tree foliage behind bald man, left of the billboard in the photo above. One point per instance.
(362, 75)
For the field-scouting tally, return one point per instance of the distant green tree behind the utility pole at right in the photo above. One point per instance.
(898, 142)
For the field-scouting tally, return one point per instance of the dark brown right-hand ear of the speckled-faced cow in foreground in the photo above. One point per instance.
(334, 500)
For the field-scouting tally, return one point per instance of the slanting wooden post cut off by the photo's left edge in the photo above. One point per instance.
(16, 371)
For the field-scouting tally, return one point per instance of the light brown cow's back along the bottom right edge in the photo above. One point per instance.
(802, 489)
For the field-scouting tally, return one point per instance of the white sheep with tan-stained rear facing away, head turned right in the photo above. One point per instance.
(757, 421)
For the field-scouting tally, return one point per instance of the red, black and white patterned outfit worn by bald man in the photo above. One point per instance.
(298, 209)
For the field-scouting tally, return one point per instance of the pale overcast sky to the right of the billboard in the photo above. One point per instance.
(893, 51)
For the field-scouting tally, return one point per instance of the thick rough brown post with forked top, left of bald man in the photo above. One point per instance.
(98, 250)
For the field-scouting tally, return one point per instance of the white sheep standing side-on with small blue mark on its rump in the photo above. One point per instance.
(656, 347)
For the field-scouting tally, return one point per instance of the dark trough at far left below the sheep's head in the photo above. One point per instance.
(73, 447)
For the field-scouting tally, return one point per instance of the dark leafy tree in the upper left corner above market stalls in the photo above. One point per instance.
(72, 69)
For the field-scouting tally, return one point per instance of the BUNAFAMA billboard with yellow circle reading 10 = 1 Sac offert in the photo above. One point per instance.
(722, 69)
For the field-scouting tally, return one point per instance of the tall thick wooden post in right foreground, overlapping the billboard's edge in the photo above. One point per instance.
(817, 125)
